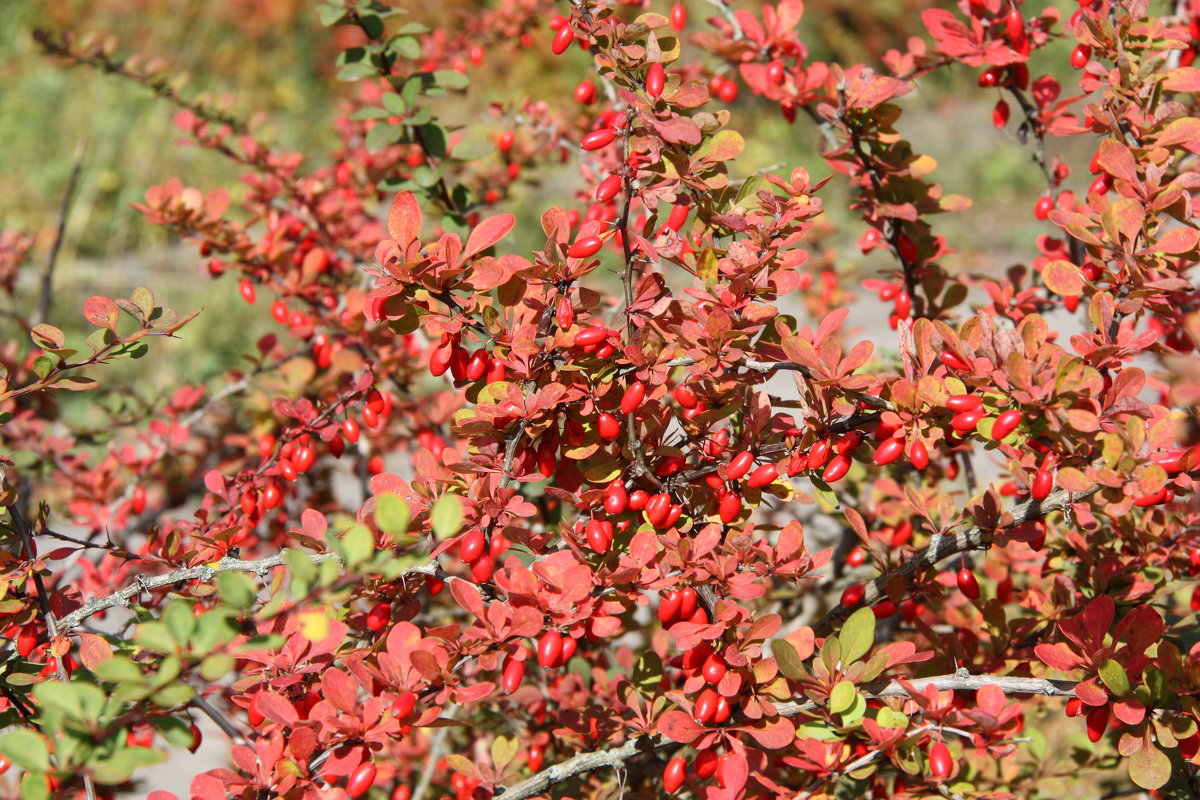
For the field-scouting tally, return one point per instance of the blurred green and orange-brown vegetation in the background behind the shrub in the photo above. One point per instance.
(271, 62)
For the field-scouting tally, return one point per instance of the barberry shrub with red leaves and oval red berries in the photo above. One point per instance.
(626, 508)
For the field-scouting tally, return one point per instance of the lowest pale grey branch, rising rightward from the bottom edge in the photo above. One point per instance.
(649, 743)
